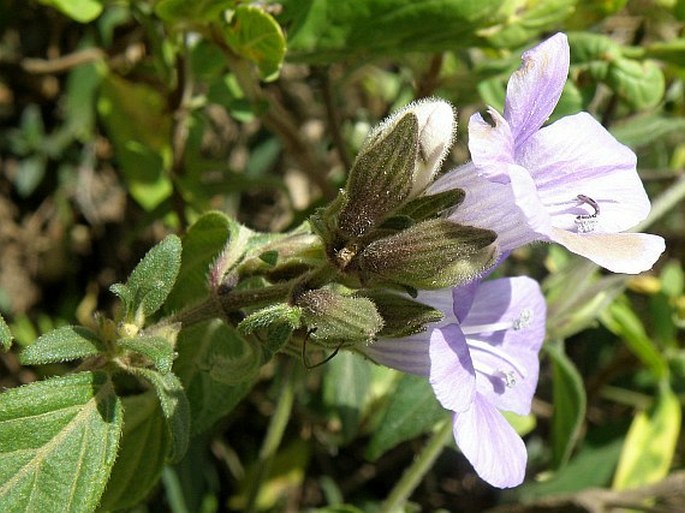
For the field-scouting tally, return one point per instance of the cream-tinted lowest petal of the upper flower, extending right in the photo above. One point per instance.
(629, 253)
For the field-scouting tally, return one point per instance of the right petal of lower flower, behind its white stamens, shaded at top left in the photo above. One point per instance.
(519, 302)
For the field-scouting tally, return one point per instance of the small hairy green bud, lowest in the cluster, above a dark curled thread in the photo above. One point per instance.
(335, 319)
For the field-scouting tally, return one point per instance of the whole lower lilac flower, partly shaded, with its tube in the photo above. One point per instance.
(481, 358)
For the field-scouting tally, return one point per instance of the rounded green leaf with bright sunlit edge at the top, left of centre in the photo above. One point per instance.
(257, 36)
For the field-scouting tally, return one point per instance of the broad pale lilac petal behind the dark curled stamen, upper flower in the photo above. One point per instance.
(576, 155)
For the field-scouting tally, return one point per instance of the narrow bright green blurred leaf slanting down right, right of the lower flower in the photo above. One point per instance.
(620, 319)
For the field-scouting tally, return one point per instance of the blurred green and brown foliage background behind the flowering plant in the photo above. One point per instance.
(122, 121)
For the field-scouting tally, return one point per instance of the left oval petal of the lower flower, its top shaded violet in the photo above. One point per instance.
(451, 373)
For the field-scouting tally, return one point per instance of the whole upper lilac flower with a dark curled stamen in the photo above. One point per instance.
(570, 182)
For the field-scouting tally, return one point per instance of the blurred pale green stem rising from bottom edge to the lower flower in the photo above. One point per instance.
(414, 474)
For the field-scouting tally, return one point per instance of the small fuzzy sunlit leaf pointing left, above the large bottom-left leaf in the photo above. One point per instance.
(62, 345)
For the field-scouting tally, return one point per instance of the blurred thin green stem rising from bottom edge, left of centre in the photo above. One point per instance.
(274, 435)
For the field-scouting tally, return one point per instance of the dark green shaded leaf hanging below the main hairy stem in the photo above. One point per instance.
(202, 351)
